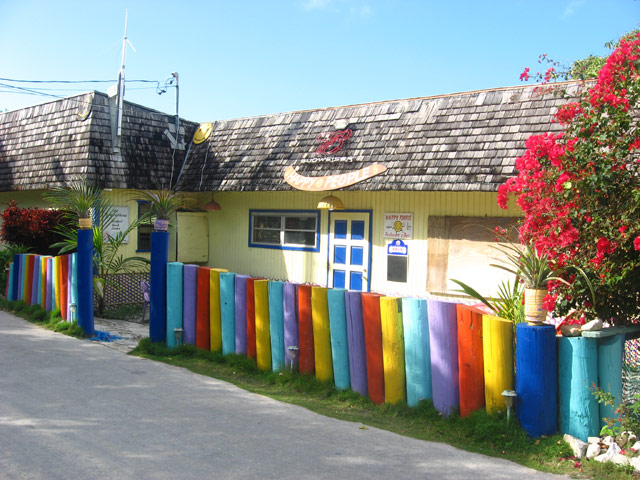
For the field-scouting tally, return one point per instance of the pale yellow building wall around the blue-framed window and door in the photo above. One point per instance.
(229, 233)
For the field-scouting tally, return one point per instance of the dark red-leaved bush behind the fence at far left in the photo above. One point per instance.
(31, 227)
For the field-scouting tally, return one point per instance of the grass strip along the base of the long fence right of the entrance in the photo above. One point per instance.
(480, 432)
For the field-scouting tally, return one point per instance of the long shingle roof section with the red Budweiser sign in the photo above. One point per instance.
(461, 142)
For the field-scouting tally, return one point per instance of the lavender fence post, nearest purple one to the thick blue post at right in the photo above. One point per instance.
(443, 335)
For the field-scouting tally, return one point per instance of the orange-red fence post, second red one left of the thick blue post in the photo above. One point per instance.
(373, 342)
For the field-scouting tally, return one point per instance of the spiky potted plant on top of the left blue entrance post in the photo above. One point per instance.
(78, 198)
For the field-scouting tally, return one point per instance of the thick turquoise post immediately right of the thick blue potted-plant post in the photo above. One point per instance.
(577, 374)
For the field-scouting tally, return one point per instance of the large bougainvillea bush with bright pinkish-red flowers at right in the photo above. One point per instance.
(579, 191)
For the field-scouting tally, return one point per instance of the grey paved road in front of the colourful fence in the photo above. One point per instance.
(75, 409)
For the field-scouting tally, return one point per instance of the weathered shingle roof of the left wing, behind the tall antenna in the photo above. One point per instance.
(48, 144)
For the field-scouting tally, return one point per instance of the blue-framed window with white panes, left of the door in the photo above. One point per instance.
(285, 229)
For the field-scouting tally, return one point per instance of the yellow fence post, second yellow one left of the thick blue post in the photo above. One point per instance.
(392, 349)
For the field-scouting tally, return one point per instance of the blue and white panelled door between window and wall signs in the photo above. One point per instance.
(349, 250)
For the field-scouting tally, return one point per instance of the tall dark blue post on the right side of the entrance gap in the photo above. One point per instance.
(158, 304)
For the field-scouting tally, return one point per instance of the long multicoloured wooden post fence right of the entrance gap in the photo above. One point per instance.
(392, 349)
